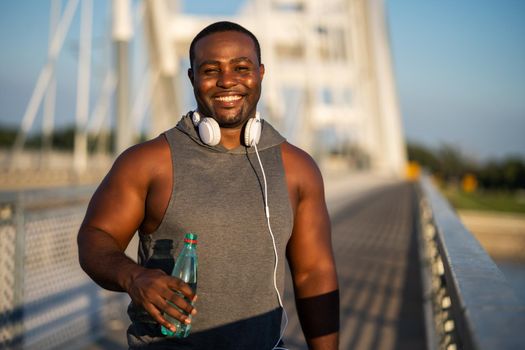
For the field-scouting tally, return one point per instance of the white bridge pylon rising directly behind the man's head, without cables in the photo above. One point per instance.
(328, 78)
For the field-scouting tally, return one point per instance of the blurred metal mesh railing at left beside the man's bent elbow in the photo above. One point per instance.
(46, 300)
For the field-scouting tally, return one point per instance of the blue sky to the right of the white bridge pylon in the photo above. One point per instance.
(460, 69)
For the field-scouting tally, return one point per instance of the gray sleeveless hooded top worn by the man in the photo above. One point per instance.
(218, 194)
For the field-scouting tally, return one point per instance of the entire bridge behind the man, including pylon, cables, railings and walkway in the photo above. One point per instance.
(411, 275)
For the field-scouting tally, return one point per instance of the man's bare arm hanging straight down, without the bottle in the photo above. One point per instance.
(309, 250)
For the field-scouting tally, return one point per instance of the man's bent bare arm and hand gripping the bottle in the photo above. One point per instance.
(115, 212)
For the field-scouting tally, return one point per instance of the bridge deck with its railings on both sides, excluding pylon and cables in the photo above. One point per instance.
(411, 276)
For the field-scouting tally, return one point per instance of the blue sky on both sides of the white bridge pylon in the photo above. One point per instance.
(459, 66)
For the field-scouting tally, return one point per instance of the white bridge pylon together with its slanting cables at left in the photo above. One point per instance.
(328, 87)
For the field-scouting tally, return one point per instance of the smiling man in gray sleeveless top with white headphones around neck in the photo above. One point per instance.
(183, 181)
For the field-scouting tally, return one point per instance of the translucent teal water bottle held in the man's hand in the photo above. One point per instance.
(185, 269)
